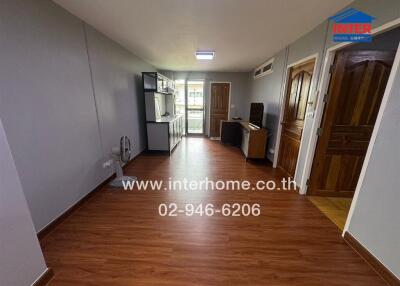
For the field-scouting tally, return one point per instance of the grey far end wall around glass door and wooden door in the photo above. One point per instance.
(239, 90)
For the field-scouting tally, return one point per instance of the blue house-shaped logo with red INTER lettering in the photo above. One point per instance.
(352, 25)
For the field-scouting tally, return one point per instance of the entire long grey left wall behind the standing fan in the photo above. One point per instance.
(48, 106)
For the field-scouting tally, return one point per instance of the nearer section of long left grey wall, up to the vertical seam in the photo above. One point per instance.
(47, 105)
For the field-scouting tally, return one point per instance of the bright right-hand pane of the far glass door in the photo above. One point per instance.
(195, 107)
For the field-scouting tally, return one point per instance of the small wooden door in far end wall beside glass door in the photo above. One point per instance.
(219, 107)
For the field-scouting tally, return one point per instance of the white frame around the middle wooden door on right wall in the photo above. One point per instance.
(283, 100)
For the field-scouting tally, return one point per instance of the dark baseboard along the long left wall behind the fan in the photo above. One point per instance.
(53, 224)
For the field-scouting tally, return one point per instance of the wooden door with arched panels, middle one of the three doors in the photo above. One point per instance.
(298, 90)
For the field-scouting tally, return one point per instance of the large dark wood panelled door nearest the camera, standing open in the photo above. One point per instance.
(355, 93)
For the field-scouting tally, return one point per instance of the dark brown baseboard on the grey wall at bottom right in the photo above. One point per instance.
(379, 268)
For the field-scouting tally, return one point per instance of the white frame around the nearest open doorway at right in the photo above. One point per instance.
(319, 110)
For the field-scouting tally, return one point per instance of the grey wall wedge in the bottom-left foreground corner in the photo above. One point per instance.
(21, 259)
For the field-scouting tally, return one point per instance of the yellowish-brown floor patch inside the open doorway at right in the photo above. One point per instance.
(335, 208)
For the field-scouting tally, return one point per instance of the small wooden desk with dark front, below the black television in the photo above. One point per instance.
(249, 137)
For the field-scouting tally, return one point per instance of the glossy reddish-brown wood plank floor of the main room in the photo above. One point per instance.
(118, 238)
